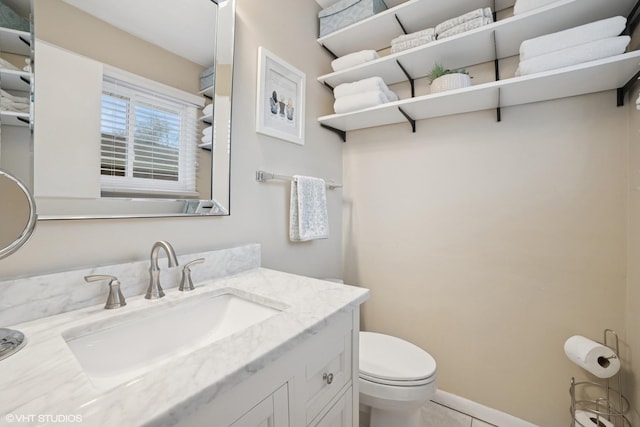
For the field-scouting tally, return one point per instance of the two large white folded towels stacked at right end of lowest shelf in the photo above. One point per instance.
(585, 43)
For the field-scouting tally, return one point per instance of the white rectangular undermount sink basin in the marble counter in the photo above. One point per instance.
(121, 349)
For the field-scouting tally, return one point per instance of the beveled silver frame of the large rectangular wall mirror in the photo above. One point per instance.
(222, 203)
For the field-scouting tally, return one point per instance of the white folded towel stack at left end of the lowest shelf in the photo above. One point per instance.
(362, 94)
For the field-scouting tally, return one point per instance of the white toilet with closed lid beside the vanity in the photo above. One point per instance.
(396, 379)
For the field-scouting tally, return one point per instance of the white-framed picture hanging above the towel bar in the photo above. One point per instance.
(280, 101)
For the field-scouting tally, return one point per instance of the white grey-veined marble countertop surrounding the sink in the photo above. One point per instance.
(43, 384)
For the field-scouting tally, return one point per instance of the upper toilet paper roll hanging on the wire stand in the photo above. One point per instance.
(596, 358)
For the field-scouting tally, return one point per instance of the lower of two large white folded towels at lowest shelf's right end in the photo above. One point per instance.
(591, 51)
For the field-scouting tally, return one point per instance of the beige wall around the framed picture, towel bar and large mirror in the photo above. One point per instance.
(259, 212)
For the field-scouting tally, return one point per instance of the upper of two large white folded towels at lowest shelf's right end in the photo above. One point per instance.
(582, 34)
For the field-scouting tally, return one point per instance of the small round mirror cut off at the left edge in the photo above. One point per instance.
(17, 214)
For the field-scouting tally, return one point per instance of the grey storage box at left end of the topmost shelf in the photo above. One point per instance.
(346, 12)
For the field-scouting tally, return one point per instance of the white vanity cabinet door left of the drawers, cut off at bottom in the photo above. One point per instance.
(271, 412)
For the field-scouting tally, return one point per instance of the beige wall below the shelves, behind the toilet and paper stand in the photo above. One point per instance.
(489, 244)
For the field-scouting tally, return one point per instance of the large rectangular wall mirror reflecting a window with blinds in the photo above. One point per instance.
(114, 81)
